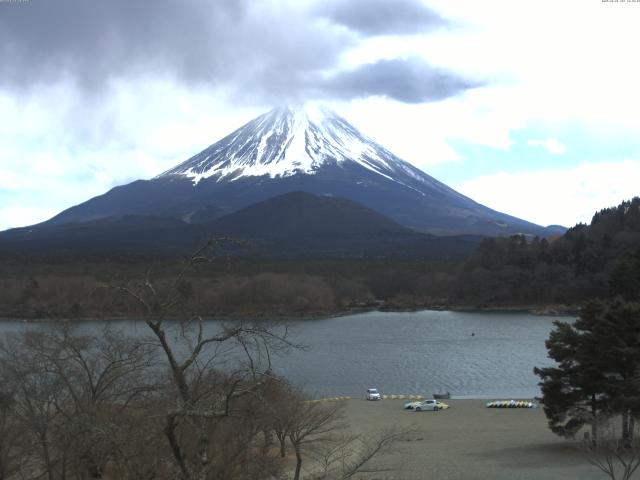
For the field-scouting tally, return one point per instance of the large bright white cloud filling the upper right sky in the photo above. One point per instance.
(542, 69)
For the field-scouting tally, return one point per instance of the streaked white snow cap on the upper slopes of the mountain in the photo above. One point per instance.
(290, 141)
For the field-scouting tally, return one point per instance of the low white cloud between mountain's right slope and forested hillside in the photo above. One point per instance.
(562, 196)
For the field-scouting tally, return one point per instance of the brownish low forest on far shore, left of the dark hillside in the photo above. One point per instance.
(241, 288)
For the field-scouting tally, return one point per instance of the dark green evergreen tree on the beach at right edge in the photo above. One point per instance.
(598, 369)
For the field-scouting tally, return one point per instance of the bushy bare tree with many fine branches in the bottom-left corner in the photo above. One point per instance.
(69, 392)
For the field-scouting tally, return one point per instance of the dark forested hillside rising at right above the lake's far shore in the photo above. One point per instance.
(597, 260)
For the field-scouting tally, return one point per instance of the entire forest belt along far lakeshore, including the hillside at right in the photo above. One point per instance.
(598, 260)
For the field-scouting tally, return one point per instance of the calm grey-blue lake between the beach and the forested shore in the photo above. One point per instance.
(470, 354)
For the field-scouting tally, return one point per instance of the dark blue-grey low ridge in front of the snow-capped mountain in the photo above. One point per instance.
(293, 225)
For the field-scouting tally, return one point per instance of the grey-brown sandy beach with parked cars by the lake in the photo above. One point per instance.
(469, 441)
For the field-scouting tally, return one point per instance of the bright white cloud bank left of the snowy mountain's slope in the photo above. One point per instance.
(56, 150)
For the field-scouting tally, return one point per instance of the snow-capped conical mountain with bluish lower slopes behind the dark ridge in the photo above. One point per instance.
(304, 148)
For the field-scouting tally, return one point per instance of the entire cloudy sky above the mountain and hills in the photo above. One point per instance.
(529, 107)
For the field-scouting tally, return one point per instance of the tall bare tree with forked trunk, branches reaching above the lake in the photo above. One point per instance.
(202, 396)
